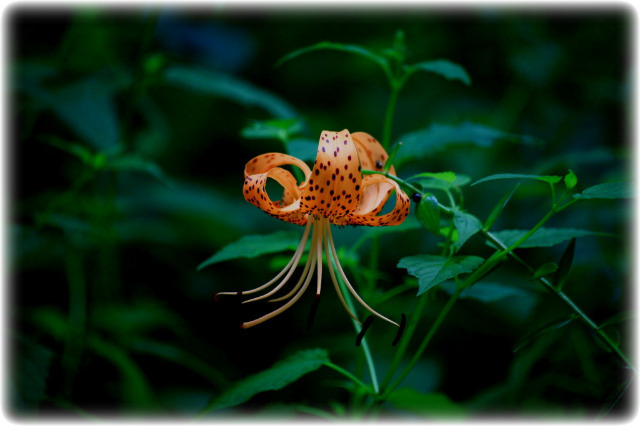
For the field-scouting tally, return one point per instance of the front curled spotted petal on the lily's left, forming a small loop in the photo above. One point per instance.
(287, 209)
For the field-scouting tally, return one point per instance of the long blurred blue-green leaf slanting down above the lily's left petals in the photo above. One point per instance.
(228, 87)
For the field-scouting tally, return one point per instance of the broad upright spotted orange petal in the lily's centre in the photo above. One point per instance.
(333, 189)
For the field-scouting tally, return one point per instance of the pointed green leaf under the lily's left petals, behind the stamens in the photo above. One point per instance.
(255, 245)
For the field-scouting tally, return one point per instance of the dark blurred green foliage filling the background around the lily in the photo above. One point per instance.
(129, 132)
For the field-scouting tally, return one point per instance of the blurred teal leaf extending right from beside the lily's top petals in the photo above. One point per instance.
(437, 137)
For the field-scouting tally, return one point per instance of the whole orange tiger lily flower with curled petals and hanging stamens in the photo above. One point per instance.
(334, 192)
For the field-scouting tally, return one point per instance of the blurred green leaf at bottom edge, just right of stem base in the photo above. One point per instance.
(425, 404)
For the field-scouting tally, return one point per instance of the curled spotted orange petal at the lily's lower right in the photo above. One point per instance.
(395, 217)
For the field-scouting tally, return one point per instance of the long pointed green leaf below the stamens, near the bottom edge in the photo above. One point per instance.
(278, 376)
